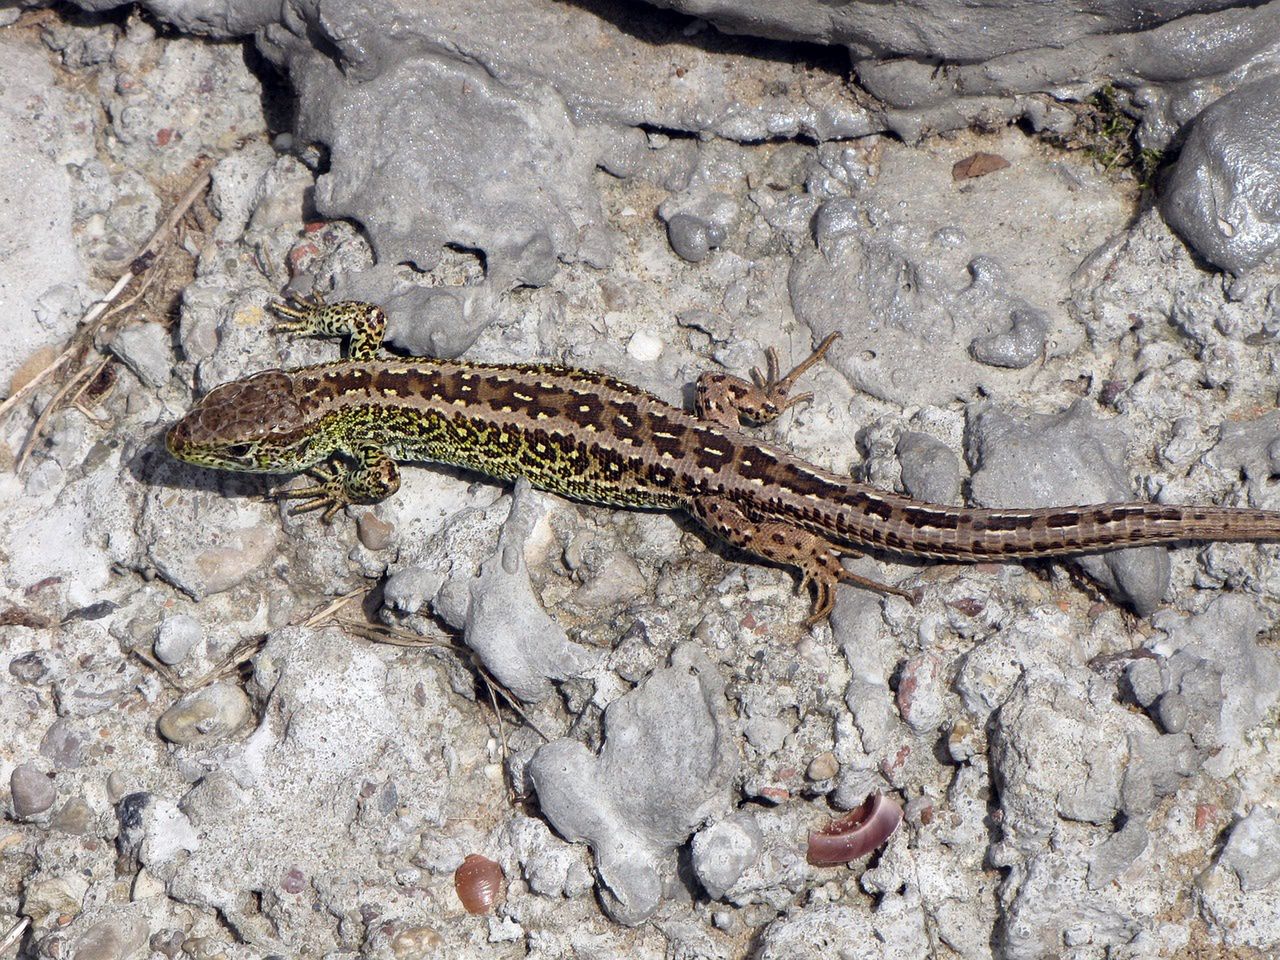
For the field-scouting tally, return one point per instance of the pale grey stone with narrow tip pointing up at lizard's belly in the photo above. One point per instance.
(505, 621)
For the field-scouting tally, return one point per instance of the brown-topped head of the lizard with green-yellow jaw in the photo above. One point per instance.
(254, 424)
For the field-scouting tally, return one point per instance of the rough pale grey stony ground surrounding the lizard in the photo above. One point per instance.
(230, 733)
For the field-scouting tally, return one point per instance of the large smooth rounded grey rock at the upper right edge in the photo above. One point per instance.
(1224, 194)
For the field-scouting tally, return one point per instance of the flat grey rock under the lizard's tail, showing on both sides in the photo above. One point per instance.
(1032, 460)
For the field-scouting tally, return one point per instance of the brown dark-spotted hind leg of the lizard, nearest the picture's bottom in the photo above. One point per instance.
(817, 559)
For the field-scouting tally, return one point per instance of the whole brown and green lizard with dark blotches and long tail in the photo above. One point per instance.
(595, 438)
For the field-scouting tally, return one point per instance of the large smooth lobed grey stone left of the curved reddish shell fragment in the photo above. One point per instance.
(665, 767)
